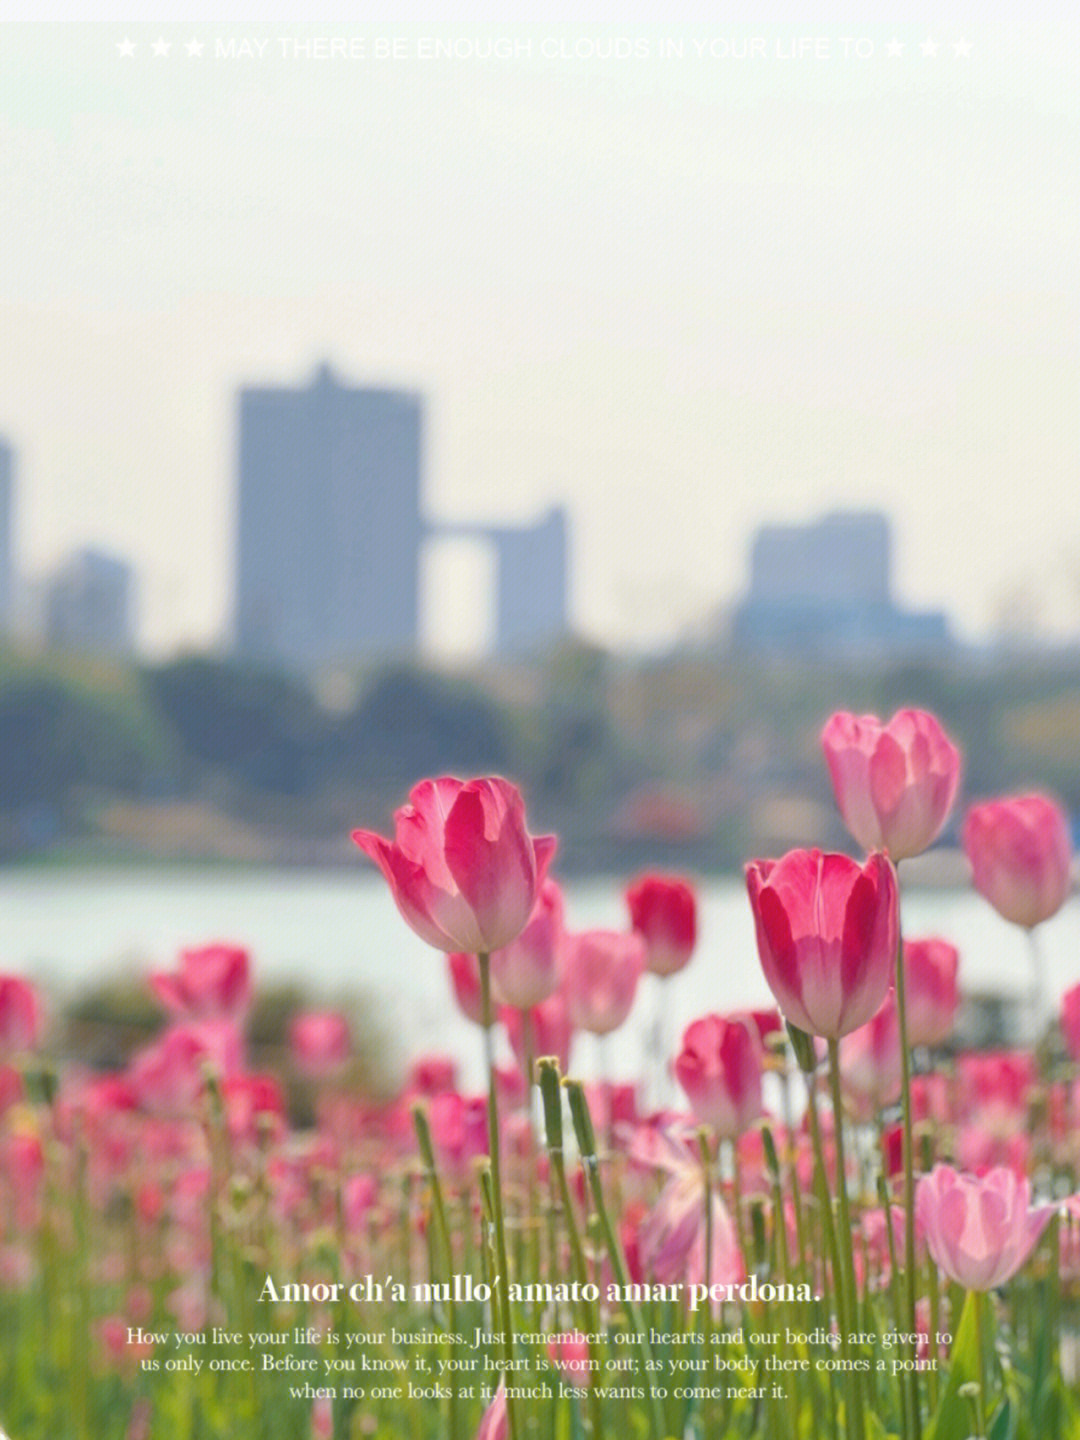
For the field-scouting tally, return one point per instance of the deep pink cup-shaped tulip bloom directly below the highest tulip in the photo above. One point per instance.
(827, 937)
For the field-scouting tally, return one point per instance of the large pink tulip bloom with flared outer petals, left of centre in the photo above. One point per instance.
(463, 869)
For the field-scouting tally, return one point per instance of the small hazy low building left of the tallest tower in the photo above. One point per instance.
(89, 606)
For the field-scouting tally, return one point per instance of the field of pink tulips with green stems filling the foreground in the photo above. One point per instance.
(820, 1220)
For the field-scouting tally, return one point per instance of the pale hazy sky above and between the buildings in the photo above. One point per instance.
(682, 296)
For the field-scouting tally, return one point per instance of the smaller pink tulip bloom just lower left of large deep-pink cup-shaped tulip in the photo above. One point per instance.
(721, 1071)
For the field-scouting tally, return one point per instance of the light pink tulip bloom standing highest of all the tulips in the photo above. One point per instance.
(895, 783)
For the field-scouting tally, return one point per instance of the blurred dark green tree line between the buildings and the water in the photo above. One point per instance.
(580, 731)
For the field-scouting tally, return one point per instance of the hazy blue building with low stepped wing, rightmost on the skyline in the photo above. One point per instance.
(827, 587)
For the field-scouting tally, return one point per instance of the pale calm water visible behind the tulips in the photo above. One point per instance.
(342, 934)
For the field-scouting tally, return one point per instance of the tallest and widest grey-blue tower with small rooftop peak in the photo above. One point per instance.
(330, 523)
